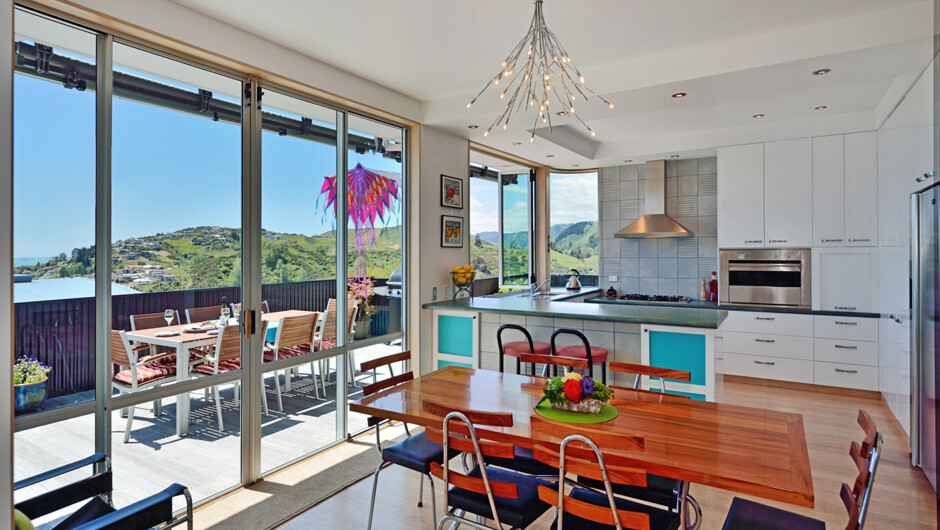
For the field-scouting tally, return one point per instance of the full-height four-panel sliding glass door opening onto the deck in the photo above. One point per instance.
(167, 213)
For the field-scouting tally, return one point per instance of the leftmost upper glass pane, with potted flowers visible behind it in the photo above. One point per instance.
(54, 213)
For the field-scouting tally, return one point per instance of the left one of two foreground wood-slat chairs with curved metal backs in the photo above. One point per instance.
(486, 491)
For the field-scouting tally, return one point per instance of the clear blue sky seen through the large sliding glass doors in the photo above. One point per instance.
(170, 170)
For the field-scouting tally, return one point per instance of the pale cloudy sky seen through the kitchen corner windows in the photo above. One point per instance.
(573, 199)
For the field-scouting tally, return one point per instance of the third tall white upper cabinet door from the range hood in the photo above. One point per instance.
(829, 191)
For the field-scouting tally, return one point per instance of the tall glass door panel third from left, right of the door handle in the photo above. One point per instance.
(298, 248)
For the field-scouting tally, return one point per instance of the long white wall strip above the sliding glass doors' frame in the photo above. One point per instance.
(185, 25)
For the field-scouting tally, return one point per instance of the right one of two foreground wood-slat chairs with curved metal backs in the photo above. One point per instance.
(587, 509)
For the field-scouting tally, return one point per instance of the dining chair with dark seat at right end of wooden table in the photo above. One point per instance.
(745, 514)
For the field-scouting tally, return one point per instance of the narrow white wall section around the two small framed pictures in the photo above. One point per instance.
(445, 153)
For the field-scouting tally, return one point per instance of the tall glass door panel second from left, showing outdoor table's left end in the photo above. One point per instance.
(176, 264)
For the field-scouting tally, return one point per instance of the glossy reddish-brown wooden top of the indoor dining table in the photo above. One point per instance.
(743, 449)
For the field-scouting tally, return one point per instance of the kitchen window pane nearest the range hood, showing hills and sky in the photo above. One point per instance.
(573, 232)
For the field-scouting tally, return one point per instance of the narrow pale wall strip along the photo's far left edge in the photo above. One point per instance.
(6, 261)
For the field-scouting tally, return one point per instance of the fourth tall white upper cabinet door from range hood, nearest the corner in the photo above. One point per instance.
(861, 189)
